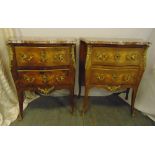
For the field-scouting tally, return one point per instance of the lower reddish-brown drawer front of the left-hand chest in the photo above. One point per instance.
(44, 77)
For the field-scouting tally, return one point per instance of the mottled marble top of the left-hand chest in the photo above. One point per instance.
(41, 40)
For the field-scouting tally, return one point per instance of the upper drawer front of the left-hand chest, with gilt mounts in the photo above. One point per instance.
(42, 56)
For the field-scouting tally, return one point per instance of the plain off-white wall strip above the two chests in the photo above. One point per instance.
(142, 33)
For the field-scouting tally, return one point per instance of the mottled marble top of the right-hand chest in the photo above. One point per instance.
(115, 41)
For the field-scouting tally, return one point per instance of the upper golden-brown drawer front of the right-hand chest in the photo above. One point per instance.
(117, 56)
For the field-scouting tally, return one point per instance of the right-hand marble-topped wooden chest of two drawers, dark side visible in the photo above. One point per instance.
(112, 65)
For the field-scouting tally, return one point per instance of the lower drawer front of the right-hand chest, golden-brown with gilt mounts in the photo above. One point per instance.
(113, 76)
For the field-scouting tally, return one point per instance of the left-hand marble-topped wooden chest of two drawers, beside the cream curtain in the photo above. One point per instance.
(43, 66)
